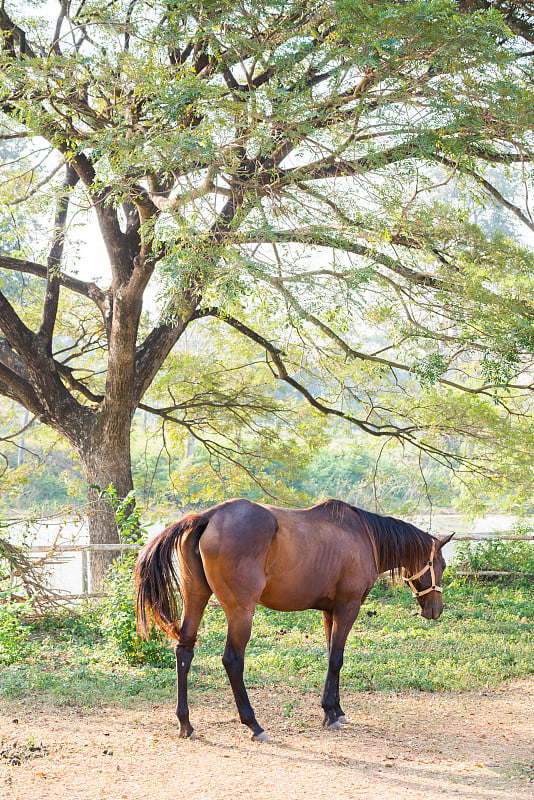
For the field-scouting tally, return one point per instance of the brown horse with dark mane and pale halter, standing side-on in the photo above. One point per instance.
(327, 557)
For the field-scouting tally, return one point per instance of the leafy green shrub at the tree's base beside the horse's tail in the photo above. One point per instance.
(118, 621)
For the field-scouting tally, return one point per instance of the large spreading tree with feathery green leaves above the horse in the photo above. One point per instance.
(281, 168)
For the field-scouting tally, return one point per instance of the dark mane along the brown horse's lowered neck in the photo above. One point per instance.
(397, 544)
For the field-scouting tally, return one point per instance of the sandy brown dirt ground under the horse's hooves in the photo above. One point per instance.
(412, 745)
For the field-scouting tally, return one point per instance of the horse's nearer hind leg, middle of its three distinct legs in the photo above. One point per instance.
(239, 629)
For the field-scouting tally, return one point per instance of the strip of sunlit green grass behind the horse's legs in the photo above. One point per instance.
(485, 636)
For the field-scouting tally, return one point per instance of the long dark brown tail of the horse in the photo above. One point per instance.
(157, 585)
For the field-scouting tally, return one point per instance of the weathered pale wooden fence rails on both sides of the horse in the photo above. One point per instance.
(84, 549)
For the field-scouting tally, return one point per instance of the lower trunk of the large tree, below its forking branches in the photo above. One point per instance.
(106, 462)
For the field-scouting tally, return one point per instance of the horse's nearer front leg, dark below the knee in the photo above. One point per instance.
(338, 624)
